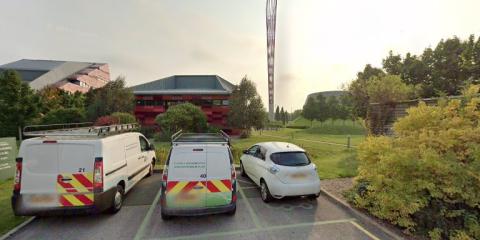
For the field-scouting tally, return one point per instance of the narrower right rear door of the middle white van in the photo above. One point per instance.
(218, 176)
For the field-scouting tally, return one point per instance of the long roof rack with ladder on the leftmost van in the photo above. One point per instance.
(76, 129)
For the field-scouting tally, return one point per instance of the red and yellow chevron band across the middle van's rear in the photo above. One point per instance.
(212, 186)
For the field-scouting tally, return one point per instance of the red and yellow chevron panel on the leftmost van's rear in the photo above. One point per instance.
(76, 192)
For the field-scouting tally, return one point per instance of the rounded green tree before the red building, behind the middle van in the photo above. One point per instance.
(185, 116)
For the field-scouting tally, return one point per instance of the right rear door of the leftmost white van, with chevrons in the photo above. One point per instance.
(75, 174)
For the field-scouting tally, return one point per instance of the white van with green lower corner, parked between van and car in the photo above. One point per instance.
(199, 177)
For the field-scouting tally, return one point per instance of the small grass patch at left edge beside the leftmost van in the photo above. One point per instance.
(7, 219)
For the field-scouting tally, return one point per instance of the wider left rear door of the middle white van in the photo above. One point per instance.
(186, 184)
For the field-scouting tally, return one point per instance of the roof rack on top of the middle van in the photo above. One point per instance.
(183, 138)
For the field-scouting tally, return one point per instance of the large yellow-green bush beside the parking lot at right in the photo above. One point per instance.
(426, 178)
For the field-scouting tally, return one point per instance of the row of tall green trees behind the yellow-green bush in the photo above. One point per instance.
(443, 70)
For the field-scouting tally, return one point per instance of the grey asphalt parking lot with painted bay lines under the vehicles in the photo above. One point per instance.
(294, 218)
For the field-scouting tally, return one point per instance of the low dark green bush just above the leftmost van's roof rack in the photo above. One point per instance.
(64, 115)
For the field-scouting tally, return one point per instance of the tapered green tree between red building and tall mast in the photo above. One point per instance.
(246, 107)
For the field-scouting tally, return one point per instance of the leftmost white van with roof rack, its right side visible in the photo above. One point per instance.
(79, 169)
